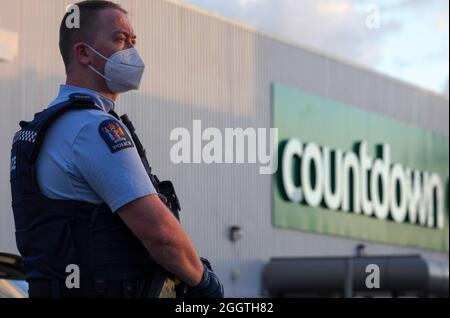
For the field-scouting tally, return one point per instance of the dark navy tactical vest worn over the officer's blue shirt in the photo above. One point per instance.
(52, 234)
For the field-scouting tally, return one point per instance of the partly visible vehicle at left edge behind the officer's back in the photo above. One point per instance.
(12, 277)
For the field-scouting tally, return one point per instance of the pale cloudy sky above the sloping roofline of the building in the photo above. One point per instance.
(405, 39)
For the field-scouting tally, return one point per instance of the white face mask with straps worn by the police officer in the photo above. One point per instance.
(123, 70)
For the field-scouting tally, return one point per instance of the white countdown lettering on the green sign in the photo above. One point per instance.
(343, 181)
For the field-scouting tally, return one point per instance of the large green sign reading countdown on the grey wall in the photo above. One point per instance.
(348, 172)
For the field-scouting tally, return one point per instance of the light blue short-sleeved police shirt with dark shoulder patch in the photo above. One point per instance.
(81, 160)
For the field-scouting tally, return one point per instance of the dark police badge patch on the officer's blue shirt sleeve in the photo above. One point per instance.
(115, 136)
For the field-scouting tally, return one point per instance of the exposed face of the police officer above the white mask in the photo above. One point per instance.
(114, 33)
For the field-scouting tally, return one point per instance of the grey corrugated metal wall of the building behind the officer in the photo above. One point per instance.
(203, 67)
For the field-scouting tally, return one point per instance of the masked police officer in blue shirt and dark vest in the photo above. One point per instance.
(81, 193)
